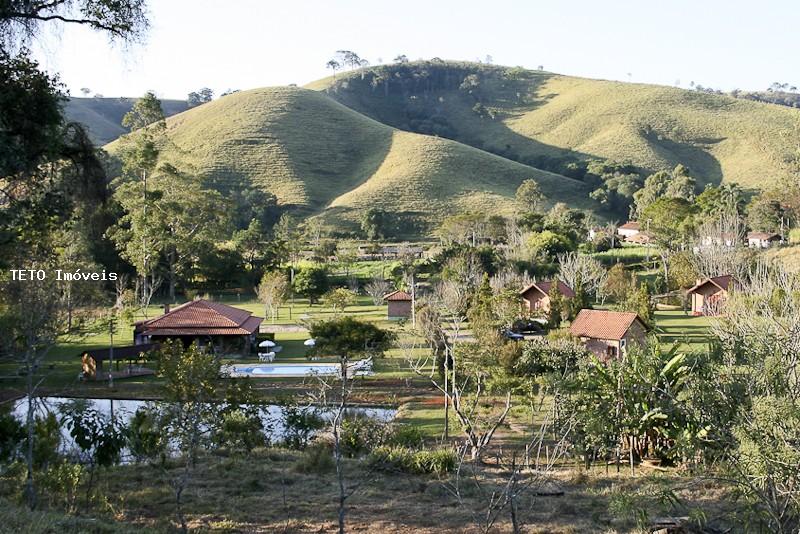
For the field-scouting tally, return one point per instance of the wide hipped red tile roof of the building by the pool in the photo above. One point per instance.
(202, 317)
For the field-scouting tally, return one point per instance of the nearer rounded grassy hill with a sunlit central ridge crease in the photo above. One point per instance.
(324, 158)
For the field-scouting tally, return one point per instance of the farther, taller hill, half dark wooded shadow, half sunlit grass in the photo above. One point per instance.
(540, 118)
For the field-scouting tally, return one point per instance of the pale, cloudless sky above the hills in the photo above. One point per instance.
(249, 43)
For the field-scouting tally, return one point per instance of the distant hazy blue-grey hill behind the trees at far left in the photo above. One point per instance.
(103, 116)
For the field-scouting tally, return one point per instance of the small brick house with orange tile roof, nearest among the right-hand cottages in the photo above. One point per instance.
(608, 334)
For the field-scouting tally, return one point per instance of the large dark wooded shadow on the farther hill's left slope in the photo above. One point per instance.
(431, 99)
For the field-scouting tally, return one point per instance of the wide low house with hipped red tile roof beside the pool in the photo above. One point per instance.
(227, 328)
